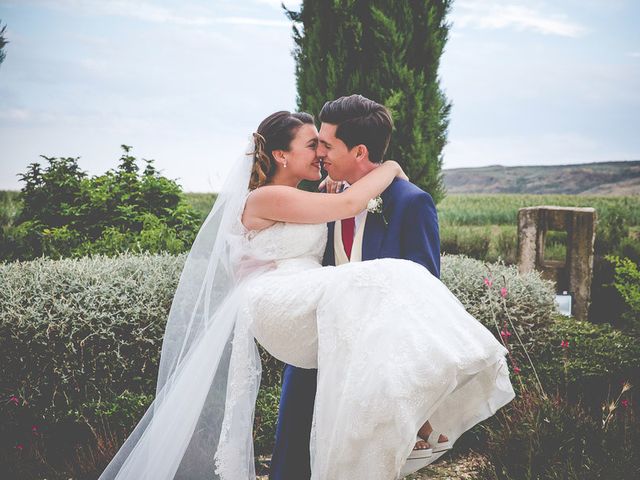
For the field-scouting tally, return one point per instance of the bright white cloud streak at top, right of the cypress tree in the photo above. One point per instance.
(499, 15)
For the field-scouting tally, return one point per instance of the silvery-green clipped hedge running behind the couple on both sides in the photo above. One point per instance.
(77, 333)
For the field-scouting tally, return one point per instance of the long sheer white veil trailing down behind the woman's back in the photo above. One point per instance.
(200, 424)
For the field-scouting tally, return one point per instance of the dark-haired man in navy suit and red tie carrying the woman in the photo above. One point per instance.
(354, 136)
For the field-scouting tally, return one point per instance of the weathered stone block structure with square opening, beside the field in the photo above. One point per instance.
(575, 273)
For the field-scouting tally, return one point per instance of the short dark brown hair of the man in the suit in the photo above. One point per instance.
(360, 121)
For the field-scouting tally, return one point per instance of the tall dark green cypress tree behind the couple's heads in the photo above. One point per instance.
(388, 51)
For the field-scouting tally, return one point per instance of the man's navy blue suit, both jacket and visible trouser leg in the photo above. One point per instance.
(411, 233)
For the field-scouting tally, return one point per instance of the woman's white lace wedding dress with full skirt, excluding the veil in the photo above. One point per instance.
(392, 345)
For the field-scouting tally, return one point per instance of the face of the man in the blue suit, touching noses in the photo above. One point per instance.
(338, 160)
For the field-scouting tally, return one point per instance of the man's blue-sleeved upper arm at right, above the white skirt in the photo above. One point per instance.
(421, 233)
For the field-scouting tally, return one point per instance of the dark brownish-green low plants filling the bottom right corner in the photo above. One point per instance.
(548, 438)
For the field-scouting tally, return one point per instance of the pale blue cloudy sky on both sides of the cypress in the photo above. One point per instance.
(186, 82)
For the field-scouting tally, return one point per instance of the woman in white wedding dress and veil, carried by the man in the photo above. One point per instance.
(392, 345)
